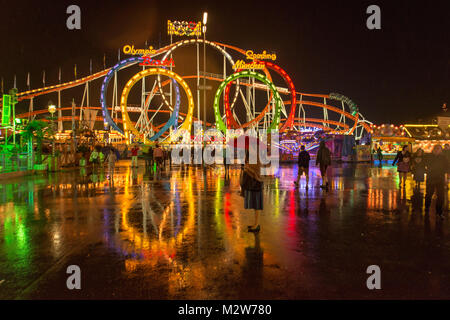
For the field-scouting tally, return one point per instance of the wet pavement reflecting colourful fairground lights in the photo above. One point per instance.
(182, 234)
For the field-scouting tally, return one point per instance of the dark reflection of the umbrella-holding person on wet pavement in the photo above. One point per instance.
(252, 271)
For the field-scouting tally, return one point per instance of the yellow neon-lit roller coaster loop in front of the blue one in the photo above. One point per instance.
(128, 127)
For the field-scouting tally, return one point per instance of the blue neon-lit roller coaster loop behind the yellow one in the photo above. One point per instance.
(107, 117)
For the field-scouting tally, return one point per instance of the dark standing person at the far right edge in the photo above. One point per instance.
(436, 167)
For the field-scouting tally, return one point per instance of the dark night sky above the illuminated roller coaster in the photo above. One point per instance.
(395, 75)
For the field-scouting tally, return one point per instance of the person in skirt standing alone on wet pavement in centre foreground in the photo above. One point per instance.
(252, 186)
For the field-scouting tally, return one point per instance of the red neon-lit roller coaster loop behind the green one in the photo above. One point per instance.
(288, 124)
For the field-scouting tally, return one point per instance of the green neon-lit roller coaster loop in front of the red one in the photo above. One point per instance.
(276, 120)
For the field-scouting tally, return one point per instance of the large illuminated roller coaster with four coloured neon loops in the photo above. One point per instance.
(164, 109)
